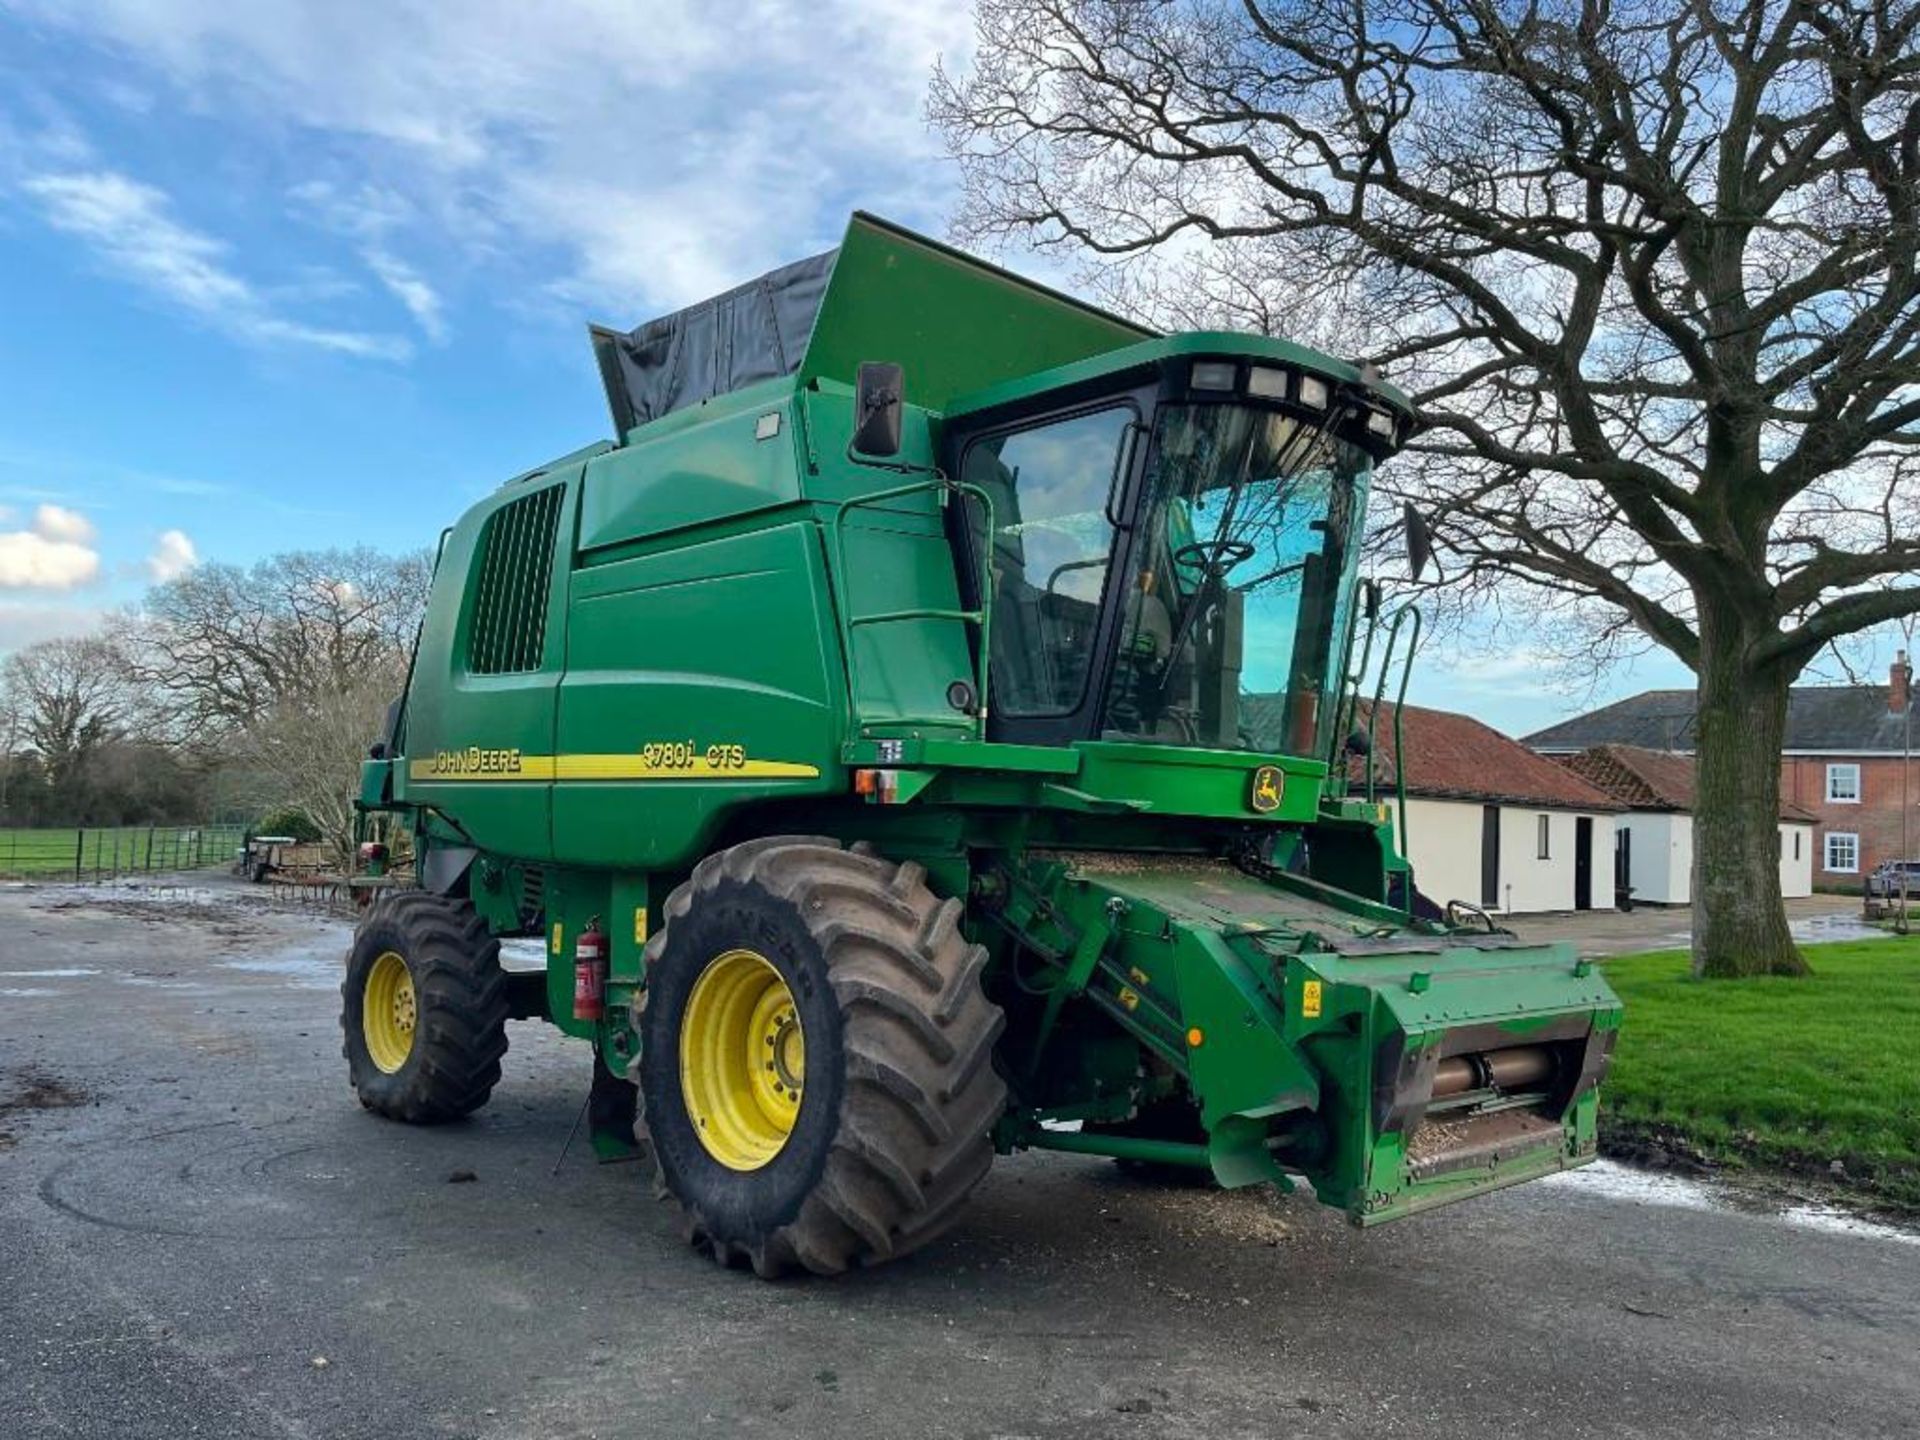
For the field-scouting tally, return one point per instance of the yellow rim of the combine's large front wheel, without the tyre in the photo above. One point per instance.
(742, 1061)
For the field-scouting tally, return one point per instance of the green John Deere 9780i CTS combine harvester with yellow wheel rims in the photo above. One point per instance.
(928, 725)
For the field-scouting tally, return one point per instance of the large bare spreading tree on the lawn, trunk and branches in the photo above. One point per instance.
(1650, 270)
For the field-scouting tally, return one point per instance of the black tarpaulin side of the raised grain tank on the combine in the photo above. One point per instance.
(754, 333)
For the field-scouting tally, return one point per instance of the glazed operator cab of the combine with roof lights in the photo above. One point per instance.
(1174, 544)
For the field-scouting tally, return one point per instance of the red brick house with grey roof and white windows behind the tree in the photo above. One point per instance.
(1844, 761)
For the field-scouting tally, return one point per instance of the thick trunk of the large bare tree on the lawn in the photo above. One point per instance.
(1740, 921)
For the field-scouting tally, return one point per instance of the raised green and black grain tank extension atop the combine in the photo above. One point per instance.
(953, 322)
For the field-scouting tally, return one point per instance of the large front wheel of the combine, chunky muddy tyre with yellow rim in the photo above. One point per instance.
(900, 1095)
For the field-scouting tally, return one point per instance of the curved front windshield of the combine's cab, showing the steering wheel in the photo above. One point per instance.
(1237, 588)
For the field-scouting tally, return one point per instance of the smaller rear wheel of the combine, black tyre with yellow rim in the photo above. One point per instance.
(423, 1009)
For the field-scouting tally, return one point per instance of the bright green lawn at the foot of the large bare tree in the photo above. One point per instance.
(1787, 1074)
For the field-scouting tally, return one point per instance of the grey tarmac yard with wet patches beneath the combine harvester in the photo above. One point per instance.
(203, 1236)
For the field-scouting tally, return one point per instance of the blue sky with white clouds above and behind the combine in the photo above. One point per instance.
(285, 276)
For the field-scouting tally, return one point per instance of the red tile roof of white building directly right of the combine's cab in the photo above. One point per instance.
(1460, 759)
